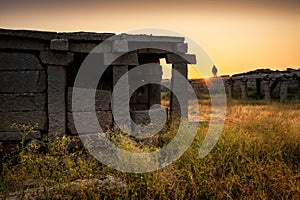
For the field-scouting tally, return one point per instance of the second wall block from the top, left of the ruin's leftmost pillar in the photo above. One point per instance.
(22, 81)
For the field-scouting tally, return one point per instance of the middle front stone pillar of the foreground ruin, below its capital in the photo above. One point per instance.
(124, 117)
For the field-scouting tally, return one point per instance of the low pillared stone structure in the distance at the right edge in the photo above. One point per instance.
(264, 82)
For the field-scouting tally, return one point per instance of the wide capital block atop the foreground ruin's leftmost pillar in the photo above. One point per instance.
(56, 58)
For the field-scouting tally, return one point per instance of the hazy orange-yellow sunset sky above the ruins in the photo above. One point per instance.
(237, 35)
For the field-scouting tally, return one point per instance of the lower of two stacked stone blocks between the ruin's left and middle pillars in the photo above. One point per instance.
(104, 118)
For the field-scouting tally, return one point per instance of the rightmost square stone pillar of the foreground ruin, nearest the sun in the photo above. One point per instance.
(179, 86)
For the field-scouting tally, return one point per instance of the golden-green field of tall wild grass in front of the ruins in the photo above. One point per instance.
(256, 157)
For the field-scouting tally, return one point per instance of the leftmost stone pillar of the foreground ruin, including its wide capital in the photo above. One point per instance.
(56, 71)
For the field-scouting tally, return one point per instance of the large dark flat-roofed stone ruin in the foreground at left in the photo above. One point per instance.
(38, 69)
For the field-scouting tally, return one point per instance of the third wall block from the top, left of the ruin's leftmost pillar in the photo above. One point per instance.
(23, 102)
